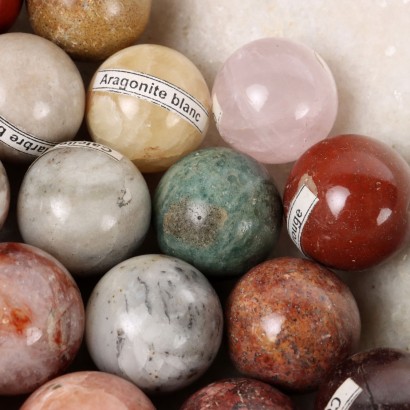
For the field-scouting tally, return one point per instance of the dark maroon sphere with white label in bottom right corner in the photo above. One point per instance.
(371, 379)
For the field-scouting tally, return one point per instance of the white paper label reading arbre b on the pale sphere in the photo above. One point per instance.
(22, 141)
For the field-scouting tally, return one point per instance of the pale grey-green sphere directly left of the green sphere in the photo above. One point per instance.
(86, 205)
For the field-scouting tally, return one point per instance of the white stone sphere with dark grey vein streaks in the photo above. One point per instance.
(154, 320)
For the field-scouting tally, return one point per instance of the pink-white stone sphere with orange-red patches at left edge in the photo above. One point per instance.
(41, 318)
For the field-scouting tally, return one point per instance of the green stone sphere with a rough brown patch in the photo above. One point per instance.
(218, 210)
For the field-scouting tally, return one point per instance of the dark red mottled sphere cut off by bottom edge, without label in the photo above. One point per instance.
(238, 393)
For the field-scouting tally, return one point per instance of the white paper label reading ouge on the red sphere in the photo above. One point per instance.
(299, 211)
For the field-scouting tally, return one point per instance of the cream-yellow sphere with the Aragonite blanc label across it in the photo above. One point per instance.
(151, 103)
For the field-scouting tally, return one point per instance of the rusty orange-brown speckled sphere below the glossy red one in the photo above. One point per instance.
(289, 322)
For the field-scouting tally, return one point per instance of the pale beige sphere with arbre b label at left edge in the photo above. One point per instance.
(42, 96)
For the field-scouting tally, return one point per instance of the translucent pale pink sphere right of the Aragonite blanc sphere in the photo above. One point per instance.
(274, 98)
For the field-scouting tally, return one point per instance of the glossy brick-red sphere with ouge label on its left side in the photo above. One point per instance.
(347, 202)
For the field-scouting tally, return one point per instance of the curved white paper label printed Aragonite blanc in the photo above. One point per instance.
(154, 90)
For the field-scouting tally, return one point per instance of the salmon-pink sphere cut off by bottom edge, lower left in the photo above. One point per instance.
(88, 390)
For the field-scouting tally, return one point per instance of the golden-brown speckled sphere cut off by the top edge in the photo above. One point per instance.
(89, 30)
